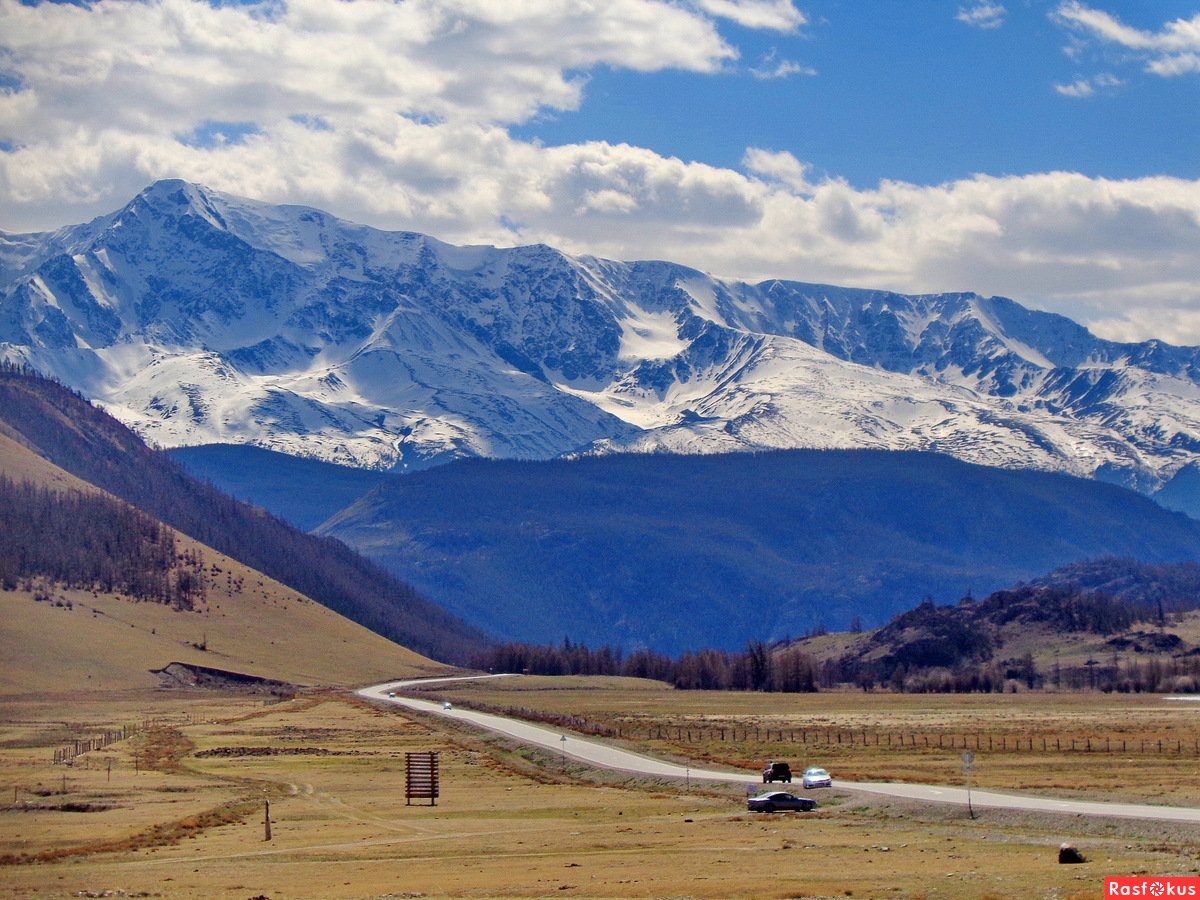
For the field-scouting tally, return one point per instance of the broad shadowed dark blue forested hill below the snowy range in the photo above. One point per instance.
(680, 553)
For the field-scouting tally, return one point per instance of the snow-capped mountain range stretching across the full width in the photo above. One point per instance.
(199, 317)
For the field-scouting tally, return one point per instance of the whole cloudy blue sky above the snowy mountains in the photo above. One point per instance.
(1037, 149)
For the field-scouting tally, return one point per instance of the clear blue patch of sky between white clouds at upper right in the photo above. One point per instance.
(909, 92)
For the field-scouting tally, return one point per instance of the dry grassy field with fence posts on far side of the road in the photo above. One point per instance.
(1009, 721)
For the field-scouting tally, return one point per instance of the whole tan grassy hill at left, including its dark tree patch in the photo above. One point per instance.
(95, 605)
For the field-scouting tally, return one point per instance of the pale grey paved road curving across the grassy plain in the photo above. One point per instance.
(602, 755)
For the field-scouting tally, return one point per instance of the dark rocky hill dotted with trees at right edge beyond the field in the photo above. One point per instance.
(1113, 625)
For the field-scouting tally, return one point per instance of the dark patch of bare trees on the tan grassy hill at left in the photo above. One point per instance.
(94, 543)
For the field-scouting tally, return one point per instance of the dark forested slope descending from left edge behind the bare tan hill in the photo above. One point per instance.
(95, 448)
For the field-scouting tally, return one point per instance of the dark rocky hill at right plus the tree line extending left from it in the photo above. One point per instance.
(1106, 625)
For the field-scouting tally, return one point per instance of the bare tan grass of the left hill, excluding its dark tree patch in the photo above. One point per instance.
(56, 639)
